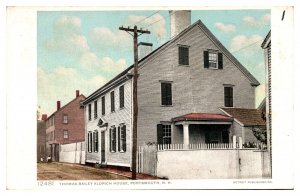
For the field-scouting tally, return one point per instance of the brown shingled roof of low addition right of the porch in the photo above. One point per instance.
(246, 117)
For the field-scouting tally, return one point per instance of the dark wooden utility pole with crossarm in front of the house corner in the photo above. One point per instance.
(136, 33)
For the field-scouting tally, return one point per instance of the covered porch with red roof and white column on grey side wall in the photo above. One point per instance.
(200, 128)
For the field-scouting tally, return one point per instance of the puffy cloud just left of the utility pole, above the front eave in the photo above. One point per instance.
(90, 61)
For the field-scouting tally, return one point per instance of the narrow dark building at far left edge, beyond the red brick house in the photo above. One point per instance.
(41, 139)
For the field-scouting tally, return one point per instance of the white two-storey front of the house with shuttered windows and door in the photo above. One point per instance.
(108, 114)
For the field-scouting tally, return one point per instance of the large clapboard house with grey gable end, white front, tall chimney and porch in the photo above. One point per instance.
(181, 87)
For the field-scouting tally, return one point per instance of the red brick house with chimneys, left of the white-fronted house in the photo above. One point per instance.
(65, 126)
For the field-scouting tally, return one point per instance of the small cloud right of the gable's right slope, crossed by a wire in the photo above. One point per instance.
(245, 43)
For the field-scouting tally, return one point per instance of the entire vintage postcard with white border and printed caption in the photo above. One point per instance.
(151, 98)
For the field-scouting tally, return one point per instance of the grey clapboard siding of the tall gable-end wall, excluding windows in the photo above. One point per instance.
(194, 88)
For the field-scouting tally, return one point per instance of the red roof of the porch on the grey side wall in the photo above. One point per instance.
(202, 117)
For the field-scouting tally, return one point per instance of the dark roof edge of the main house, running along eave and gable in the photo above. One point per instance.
(251, 78)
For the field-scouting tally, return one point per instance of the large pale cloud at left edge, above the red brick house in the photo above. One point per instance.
(61, 84)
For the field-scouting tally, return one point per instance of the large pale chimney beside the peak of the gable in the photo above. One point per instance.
(180, 20)
